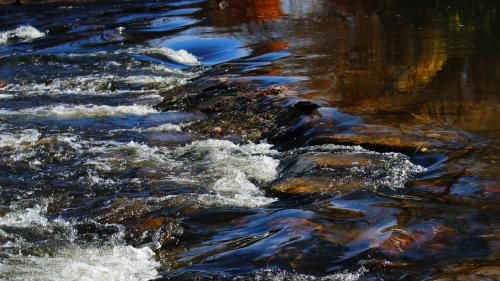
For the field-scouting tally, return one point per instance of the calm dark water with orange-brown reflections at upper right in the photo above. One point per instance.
(433, 60)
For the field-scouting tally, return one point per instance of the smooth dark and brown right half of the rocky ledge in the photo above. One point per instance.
(327, 125)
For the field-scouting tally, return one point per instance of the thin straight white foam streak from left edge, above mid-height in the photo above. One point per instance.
(90, 110)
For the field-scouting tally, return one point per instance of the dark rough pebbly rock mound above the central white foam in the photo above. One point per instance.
(232, 109)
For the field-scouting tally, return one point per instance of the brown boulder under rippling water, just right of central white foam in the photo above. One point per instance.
(334, 168)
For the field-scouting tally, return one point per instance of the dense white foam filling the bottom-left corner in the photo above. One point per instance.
(108, 263)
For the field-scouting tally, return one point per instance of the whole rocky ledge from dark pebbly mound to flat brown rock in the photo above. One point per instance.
(241, 111)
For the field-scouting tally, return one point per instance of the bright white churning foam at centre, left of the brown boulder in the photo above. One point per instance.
(231, 171)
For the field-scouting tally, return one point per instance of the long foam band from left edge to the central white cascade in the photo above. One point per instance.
(230, 173)
